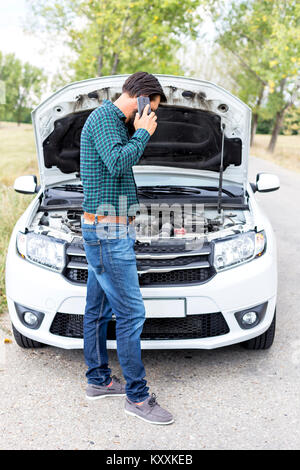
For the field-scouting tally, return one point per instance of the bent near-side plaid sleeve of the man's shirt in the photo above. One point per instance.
(116, 156)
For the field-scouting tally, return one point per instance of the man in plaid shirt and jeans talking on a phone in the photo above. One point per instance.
(107, 154)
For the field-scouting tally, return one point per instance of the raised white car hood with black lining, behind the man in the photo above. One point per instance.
(188, 135)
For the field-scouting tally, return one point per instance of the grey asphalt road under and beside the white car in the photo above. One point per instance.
(227, 398)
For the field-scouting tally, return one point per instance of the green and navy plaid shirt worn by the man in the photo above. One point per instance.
(107, 155)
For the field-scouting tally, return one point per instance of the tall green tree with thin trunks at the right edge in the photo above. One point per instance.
(263, 35)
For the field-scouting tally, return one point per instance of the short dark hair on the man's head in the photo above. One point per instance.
(143, 83)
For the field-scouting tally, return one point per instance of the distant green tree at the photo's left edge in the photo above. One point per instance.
(22, 87)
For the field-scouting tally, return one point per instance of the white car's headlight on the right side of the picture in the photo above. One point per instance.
(238, 249)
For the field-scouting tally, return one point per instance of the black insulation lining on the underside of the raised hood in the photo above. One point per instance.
(184, 138)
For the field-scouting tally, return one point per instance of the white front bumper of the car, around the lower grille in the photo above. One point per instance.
(230, 291)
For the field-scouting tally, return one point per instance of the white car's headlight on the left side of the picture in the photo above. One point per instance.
(40, 249)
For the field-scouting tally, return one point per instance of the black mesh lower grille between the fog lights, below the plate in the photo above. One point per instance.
(193, 326)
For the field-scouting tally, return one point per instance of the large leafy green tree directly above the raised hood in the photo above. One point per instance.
(113, 36)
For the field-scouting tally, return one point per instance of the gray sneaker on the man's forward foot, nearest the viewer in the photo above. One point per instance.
(149, 411)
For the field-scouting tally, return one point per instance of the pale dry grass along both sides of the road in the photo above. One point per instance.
(18, 157)
